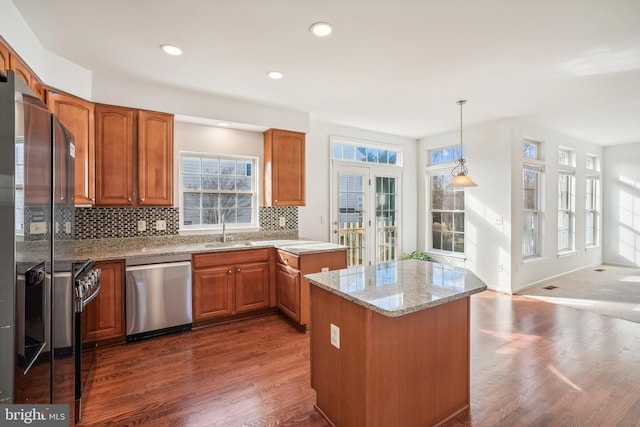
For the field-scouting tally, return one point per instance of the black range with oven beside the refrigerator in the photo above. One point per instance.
(87, 287)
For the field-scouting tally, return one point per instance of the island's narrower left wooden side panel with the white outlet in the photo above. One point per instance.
(338, 375)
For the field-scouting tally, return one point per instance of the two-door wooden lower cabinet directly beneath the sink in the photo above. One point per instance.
(231, 283)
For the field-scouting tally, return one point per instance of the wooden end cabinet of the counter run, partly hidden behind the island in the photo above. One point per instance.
(292, 291)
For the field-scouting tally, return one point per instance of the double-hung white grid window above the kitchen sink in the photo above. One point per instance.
(217, 189)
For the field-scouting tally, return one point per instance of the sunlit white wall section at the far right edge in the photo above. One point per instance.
(621, 194)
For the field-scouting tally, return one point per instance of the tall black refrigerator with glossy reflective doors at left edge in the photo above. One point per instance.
(36, 236)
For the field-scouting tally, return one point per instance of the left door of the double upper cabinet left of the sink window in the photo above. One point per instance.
(115, 155)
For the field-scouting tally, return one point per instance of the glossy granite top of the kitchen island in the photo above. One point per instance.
(397, 288)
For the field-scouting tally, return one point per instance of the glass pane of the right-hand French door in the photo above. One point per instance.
(386, 219)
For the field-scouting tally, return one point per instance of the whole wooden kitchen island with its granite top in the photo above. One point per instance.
(390, 343)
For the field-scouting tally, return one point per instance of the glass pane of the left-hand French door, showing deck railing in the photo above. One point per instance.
(351, 216)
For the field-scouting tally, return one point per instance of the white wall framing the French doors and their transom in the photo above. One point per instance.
(318, 160)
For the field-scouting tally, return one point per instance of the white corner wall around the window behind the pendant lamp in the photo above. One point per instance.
(487, 243)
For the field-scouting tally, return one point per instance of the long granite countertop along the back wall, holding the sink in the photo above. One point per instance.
(128, 248)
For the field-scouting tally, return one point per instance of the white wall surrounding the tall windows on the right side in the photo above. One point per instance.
(526, 274)
